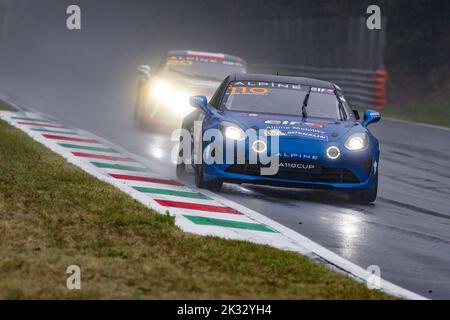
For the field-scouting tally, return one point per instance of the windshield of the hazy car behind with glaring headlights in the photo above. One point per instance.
(201, 68)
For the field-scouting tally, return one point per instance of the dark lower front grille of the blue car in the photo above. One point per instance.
(336, 175)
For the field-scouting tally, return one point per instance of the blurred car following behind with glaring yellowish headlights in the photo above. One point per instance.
(163, 97)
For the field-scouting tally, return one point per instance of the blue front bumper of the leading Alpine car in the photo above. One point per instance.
(352, 170)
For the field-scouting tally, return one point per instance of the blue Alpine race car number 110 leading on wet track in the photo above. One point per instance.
(320, 142)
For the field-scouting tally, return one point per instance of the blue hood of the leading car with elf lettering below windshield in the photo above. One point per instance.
(286, 126)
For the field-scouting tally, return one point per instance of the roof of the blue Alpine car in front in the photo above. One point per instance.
(286, 79)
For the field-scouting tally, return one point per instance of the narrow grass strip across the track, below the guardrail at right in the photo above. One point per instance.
(437, 113)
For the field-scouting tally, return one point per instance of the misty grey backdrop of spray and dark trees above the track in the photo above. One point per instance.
(117, 35)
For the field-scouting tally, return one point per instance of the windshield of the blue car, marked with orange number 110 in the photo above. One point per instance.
(281, 98)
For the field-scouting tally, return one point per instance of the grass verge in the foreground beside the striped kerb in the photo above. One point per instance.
(52, 215)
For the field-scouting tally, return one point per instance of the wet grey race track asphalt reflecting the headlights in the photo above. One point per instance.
(406, 232)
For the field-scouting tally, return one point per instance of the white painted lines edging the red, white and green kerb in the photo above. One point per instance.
(286, 239)
